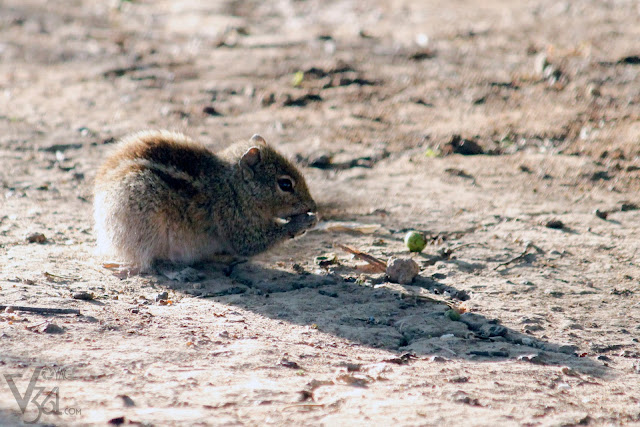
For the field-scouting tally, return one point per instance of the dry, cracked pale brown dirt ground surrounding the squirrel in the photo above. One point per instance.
(376, 100)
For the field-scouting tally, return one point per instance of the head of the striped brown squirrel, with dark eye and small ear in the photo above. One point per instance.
(277, 186)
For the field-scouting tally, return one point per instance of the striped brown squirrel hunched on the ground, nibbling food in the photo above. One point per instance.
(162, 196)
